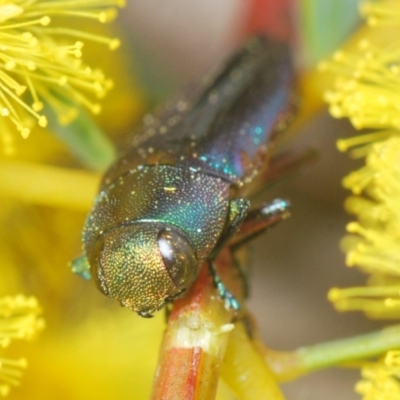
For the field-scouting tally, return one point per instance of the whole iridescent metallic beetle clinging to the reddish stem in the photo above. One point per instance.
(174, 198)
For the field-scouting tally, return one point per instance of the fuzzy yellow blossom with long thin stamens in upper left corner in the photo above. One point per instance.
(41, 65)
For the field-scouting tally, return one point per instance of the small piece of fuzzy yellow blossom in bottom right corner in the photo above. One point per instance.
(380, 380)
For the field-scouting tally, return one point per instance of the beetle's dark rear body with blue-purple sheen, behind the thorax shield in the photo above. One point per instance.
(225, 131)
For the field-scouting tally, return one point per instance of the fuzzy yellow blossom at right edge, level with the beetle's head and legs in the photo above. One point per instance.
(376, 249)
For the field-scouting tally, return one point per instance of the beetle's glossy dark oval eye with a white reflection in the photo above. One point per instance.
(178, 256)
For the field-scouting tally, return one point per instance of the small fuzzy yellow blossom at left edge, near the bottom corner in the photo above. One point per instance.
(19, 320)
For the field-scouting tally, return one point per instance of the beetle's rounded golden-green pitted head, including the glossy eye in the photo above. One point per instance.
(143, 265)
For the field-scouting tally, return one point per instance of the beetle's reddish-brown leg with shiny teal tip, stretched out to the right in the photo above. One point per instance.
(259, 219)
